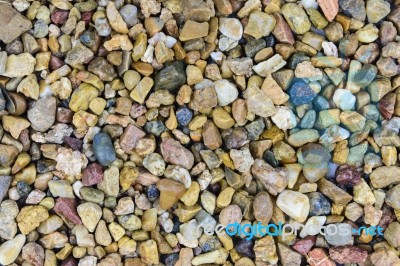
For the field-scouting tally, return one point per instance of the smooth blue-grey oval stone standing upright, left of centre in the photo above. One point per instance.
(103, 149)
